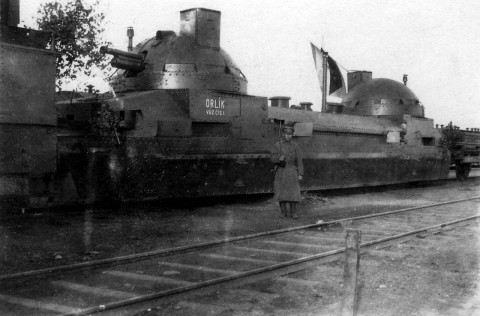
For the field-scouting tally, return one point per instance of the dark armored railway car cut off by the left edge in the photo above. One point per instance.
(28, 141)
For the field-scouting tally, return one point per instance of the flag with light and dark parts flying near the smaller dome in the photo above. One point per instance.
(335, 82)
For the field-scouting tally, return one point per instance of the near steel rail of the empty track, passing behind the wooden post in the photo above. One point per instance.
(264, 270)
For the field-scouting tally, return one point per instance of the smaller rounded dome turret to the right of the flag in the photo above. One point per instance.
(382, 97)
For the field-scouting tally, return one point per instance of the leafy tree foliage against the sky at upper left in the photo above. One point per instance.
(77, 29)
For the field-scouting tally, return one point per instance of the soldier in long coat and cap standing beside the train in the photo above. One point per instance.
(287, 157)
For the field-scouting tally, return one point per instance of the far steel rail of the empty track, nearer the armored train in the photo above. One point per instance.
(187, 248)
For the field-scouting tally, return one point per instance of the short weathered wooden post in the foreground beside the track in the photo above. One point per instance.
(350, 274)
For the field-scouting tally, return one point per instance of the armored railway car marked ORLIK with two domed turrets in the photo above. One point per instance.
(188, 127)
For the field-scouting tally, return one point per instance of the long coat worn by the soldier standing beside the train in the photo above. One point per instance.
(287, 187)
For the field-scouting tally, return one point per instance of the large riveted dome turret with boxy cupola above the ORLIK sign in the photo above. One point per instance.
(191, 60)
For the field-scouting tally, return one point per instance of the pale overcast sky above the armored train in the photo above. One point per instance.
(435, 42)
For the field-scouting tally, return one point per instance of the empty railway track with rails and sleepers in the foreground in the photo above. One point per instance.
(125, 284)
